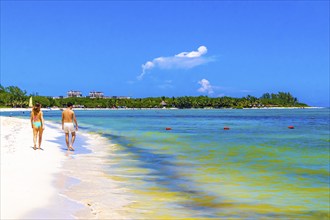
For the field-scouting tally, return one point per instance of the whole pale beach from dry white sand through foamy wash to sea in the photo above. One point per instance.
(54, 183)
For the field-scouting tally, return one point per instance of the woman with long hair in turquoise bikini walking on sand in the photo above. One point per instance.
(37, 123)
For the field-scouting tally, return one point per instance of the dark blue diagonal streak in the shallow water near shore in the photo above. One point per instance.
(165, 173)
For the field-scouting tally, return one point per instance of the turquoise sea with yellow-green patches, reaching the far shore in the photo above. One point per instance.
(259, 168)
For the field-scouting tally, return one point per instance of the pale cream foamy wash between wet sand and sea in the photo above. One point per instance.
(104, 197)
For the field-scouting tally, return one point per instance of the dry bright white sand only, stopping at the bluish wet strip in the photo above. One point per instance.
(27, 175)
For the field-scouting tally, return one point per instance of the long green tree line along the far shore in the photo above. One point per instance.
(14, 97)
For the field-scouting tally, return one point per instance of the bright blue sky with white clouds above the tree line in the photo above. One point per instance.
(167, 48)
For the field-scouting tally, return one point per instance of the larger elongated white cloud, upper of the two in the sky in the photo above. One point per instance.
(183, 60)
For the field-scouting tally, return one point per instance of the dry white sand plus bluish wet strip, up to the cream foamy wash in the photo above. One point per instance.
(32, 181)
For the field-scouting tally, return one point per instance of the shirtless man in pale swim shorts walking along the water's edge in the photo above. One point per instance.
(68, 121)
